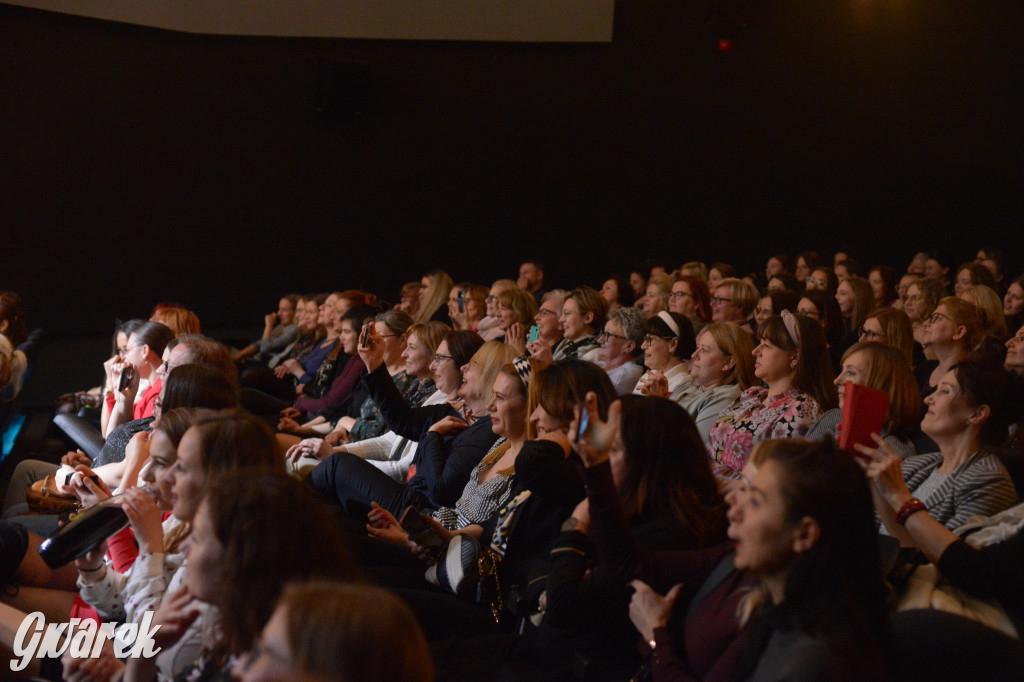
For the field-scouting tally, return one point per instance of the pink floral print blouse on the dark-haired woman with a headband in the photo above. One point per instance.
(751, 420)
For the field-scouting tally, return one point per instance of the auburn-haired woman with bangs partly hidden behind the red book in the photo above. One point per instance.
(885, 369)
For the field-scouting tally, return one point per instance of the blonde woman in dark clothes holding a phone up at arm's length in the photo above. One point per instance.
(453, 438)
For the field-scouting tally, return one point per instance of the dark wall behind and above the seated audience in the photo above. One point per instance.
(141, 165)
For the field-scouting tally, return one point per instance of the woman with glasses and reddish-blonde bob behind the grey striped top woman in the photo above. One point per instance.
(951, 333)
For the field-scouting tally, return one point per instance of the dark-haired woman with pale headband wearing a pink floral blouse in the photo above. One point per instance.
(792, 360)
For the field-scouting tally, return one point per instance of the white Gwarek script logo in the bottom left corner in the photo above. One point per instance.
(82, 640)
